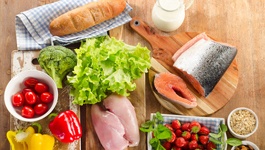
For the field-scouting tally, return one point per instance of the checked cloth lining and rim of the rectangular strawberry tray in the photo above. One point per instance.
(210, 122)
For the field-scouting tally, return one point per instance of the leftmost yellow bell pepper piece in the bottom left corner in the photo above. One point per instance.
(14, 144)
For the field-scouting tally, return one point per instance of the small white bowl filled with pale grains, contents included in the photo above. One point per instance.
(242, 122)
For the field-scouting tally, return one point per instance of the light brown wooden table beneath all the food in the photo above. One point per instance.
(238, 22)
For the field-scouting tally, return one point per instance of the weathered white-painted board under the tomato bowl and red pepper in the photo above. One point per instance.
(27, 60)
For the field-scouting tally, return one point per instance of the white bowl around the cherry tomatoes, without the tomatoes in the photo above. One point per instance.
(16, 84)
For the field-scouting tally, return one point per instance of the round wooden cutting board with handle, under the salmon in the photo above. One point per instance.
(163, 48)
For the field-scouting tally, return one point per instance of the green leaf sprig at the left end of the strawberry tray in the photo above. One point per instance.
(160, 132)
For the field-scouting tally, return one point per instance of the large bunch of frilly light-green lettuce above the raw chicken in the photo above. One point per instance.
(106, 65)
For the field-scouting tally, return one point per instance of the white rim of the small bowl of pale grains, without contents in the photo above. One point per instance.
(237, 135)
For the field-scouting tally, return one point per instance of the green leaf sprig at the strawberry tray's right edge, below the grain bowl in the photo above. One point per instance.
(214, 137)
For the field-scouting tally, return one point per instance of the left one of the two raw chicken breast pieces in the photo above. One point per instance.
(109, 129)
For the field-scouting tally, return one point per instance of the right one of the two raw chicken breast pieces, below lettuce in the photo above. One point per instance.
(124, 110)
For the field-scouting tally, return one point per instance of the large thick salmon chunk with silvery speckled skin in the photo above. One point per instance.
(203, 62)
